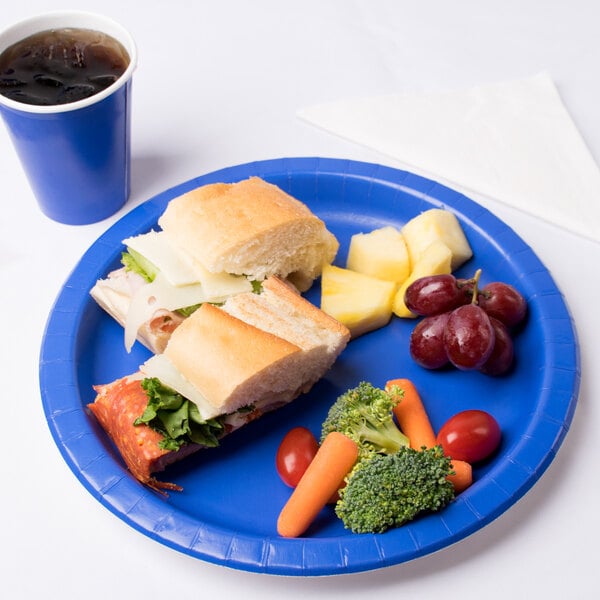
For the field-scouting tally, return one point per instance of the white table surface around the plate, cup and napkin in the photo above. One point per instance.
(218, 84)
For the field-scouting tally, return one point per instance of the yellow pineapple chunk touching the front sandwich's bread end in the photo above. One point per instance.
(361, 302)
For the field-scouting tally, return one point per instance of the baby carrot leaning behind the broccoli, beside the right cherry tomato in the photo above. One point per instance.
(411, 415)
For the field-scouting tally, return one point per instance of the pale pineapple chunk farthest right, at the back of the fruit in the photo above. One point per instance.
(436, 224)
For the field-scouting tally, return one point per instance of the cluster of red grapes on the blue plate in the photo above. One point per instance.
(464, 325)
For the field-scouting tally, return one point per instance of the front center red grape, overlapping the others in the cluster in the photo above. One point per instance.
(468, 337)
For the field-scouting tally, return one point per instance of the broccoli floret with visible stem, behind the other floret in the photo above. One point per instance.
(364, 414)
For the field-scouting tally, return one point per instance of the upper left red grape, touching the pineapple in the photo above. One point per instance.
(436, 294)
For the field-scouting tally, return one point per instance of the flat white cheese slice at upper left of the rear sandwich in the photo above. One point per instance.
(156, 247)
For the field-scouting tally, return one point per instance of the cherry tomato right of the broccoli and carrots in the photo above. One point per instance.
(471, 435)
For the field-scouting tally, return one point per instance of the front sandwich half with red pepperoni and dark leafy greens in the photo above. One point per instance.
(223, 367)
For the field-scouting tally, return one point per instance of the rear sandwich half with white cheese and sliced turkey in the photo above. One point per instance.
(213, 242)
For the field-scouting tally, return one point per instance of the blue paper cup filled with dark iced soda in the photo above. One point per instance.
(65, 97)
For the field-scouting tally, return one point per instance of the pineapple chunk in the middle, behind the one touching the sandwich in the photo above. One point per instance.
(381, 253)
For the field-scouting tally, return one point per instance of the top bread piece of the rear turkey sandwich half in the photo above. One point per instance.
(250, 228)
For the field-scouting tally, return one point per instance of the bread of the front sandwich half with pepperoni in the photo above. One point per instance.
(256, 348)
